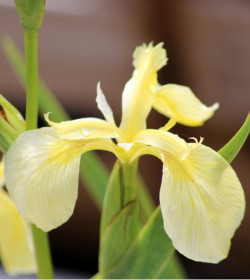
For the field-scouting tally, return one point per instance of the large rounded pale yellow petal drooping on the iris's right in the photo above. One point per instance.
(202, 204)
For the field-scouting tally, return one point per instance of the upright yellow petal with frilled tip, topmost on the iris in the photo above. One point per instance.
(139, 92)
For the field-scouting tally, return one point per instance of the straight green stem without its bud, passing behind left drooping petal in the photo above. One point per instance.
(40, 238)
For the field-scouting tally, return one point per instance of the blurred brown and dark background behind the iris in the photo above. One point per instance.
(82, 42)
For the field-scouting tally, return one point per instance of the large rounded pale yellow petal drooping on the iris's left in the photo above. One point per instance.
(42, 177)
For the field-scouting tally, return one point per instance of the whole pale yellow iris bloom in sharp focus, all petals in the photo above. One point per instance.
(201, 198)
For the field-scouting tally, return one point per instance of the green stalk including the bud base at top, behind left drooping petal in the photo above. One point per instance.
(31, 15)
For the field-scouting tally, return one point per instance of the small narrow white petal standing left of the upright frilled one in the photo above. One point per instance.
(103, 105)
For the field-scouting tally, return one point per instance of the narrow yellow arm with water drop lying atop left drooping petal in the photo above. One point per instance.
(84, 128)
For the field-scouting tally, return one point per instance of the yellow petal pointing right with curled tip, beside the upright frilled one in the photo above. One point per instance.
(179, 102)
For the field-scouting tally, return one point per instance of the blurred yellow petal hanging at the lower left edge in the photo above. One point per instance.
(16, 252)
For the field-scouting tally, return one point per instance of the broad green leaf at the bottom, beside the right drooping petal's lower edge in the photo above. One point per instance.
(150, 255)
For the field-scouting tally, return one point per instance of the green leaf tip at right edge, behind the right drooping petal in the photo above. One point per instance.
(232, 148)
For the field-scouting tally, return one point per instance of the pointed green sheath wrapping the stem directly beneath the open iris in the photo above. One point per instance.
(119, 224)
